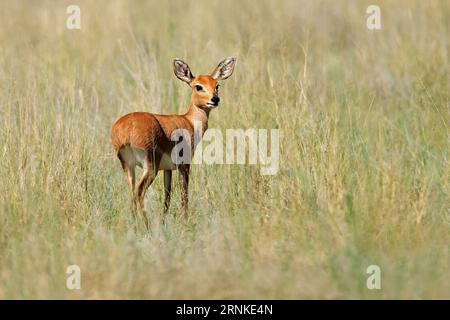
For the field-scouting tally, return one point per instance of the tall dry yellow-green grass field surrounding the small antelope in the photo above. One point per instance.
(364, 131)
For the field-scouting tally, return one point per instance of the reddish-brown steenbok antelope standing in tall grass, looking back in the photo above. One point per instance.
(144, 139)
